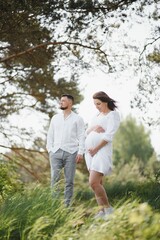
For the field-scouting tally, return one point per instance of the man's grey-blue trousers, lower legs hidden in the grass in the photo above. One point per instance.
(59, 160)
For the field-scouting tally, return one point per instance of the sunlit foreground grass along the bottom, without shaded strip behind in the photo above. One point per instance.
(35, 215)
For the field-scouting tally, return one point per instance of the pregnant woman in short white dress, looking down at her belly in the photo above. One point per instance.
(98, 144)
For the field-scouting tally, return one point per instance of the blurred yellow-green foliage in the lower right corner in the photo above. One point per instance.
(130, 221)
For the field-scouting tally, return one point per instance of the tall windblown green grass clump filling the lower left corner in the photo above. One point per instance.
(33, 215)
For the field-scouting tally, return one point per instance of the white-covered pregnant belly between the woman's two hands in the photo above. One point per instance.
(93, 139)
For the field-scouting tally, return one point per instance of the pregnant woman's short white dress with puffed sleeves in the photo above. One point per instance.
(102, 160)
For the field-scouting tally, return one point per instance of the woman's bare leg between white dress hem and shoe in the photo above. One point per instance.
(95, 182)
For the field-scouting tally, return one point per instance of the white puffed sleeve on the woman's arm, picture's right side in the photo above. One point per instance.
(113, 123)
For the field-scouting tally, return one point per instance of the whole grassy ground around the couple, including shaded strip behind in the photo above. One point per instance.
(32, 213)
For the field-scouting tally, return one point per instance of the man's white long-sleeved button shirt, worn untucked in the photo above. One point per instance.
(67, 133)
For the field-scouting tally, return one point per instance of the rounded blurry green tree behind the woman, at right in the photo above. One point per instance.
(132, 141)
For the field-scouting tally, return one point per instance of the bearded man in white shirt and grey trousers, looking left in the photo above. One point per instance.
(65, 144)
